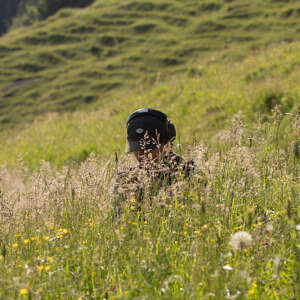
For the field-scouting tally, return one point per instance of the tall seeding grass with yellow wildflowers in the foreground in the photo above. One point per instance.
(59, 239)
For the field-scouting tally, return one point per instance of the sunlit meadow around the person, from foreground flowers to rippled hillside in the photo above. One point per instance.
(240, 123)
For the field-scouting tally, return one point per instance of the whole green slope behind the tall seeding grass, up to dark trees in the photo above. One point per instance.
(80, 73)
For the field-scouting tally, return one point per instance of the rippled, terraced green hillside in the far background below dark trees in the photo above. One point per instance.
(88, 58)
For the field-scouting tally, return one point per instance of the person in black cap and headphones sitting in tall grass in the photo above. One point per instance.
(149, 137)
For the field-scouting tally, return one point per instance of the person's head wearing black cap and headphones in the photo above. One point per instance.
(148, 133)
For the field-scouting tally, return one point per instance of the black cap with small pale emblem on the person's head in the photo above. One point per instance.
(145, 130)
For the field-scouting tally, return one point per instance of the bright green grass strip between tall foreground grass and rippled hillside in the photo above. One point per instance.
(200, 105)
